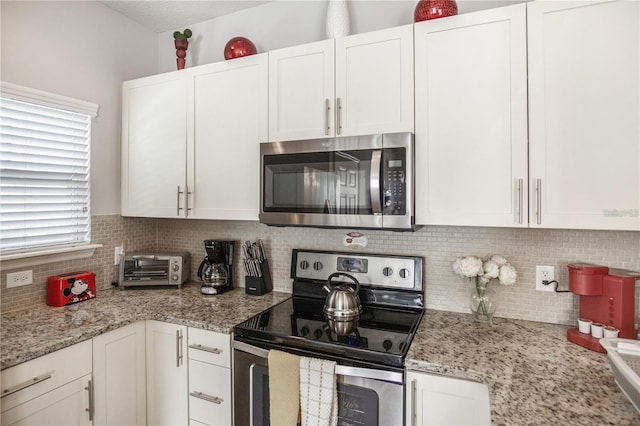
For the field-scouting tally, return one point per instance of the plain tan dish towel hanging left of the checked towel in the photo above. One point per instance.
(284, 385)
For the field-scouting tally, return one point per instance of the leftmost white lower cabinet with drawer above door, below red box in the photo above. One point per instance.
(54, 389)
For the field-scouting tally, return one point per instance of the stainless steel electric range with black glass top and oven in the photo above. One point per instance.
(370, 360)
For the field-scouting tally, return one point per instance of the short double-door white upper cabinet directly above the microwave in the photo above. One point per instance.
(356, 85)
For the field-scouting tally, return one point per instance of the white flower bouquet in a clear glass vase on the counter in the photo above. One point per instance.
(483, 272)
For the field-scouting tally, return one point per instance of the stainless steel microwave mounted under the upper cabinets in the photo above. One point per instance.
(343, 182)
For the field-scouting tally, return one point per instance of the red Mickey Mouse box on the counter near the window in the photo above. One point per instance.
(71, 288)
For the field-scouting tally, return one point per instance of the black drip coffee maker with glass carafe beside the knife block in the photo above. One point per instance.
(216, 269)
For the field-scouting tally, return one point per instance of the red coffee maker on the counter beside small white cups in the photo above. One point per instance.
(607, 296)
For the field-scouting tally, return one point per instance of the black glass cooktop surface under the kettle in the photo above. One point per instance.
(383, 334)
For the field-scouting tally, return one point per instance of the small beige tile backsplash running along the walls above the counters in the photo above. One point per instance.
(439, 245)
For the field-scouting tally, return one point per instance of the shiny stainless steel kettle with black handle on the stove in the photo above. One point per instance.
(342, 306)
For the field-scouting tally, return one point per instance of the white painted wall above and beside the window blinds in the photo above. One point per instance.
(84, 50)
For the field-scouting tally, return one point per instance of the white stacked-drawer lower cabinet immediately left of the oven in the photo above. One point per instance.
(210, 378)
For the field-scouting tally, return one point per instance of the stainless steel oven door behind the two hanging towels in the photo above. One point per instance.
(365, 396)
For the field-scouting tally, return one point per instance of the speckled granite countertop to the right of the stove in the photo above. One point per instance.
(535, 376)
